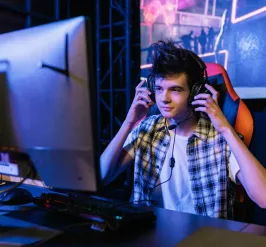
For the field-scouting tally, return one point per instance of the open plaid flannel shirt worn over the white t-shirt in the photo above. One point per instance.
(208, 159)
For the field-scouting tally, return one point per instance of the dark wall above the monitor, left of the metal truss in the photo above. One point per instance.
(14, 13)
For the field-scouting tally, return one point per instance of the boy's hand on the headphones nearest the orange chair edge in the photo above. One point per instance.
(209, 104)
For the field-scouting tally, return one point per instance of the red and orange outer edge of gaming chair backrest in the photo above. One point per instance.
(243, 120)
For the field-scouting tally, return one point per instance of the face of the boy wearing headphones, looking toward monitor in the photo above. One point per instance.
(171, 95)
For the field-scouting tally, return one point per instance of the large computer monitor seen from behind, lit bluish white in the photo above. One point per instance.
(47, 103)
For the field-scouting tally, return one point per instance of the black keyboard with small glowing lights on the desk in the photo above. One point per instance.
(115, 214)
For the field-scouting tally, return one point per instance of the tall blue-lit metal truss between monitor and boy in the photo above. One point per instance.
(114, 64)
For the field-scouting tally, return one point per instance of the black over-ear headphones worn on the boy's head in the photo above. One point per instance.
(197, 88)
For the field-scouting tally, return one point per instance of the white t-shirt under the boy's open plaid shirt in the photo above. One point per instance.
(176, 194)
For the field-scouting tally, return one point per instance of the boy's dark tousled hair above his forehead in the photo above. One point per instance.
(169, 60)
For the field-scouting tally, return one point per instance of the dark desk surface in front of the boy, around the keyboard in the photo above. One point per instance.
(170, 228)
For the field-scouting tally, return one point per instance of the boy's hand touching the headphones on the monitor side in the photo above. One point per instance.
(140, 105)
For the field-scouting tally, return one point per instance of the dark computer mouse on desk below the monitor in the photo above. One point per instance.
(17, 196)
